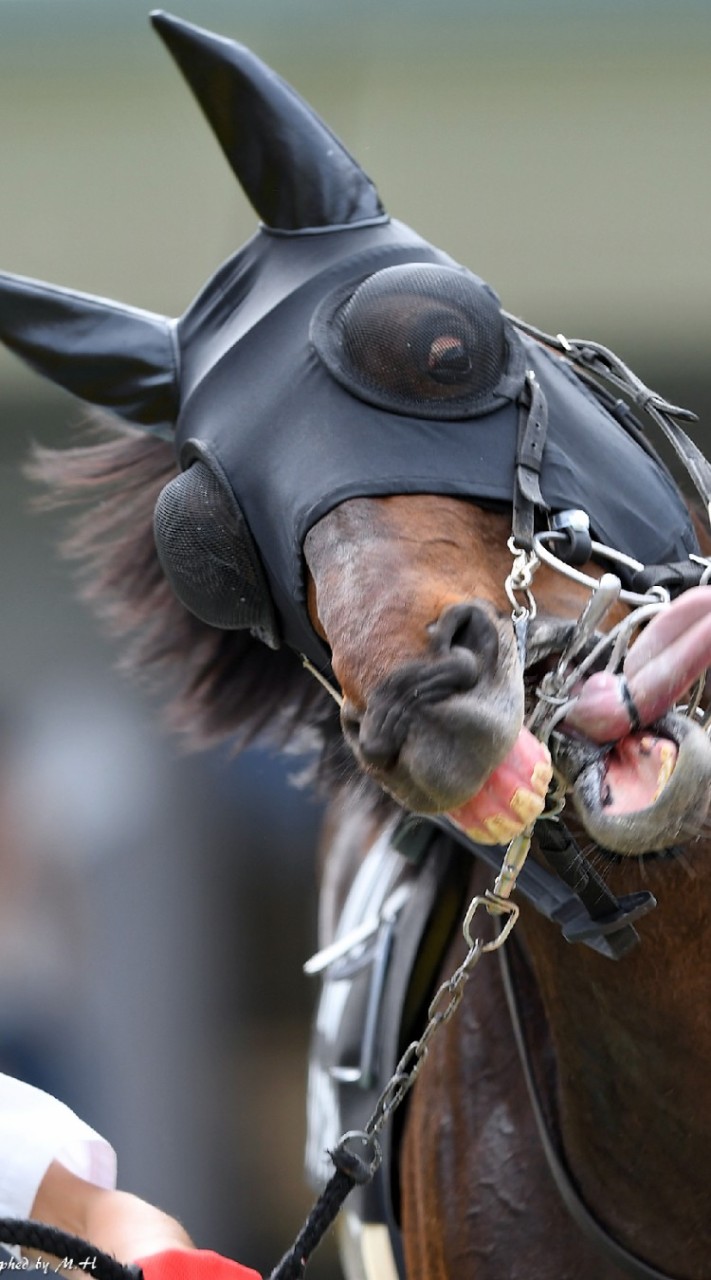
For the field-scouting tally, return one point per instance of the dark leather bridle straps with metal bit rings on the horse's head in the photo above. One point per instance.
(572, 894)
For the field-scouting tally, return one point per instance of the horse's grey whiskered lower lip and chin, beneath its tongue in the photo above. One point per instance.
(648, 793)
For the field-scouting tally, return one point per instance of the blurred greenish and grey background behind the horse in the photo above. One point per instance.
(156, 909)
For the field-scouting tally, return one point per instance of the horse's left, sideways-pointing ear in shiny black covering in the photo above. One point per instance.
(110, 355)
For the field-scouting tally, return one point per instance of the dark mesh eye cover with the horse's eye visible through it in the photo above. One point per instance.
(422, 340)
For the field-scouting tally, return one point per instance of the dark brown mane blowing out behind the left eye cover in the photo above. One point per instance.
(217, 685)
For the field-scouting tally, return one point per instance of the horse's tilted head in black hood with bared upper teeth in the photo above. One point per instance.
(354, 418)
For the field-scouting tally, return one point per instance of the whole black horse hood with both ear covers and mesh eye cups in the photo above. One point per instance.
(338, 355)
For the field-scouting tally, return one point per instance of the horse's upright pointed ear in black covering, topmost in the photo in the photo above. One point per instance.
(294, 171)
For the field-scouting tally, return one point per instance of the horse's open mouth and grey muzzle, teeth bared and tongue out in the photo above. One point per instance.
(637, 789)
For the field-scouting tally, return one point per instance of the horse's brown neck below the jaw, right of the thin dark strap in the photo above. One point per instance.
(632, 1043)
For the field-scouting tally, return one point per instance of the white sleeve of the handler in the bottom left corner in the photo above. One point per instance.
(37, 1130)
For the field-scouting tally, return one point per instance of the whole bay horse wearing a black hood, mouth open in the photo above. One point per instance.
(318, 470)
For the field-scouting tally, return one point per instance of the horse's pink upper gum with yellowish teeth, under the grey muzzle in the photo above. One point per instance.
(513, 797)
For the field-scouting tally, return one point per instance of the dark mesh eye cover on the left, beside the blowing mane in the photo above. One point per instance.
(209, 557)
